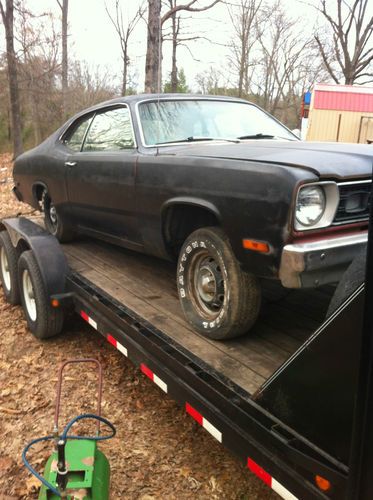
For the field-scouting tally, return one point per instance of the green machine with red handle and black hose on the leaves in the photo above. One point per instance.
(77, 469)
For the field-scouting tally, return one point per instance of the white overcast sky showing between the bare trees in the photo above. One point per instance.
(93, 39)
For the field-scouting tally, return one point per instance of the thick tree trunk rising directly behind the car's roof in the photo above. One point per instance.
(152, 64)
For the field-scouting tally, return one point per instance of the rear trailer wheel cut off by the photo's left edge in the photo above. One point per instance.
(9, 269)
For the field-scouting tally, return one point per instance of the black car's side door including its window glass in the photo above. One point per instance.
(101, 175)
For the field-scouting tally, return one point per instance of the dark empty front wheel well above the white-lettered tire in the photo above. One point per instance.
(179, 221)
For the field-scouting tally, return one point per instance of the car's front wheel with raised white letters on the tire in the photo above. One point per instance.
(219, 300)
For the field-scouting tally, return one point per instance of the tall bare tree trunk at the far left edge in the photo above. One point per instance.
(7, 15)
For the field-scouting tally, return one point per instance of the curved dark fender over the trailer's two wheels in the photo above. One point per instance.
(25, 234)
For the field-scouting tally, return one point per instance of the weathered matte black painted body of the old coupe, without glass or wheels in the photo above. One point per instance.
(122, 196)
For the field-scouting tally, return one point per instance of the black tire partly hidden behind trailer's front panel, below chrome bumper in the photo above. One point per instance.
(353, 277)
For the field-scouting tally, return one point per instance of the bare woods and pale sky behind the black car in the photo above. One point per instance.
(60, 56)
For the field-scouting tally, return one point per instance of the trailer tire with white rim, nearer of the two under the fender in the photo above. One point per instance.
(42, 319)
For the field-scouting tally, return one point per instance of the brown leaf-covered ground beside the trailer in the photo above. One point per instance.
(158, 453)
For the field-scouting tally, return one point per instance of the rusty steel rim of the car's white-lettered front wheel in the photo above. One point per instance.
(207, 285)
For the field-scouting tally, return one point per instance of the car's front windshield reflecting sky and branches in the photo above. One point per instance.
(168, 121)
